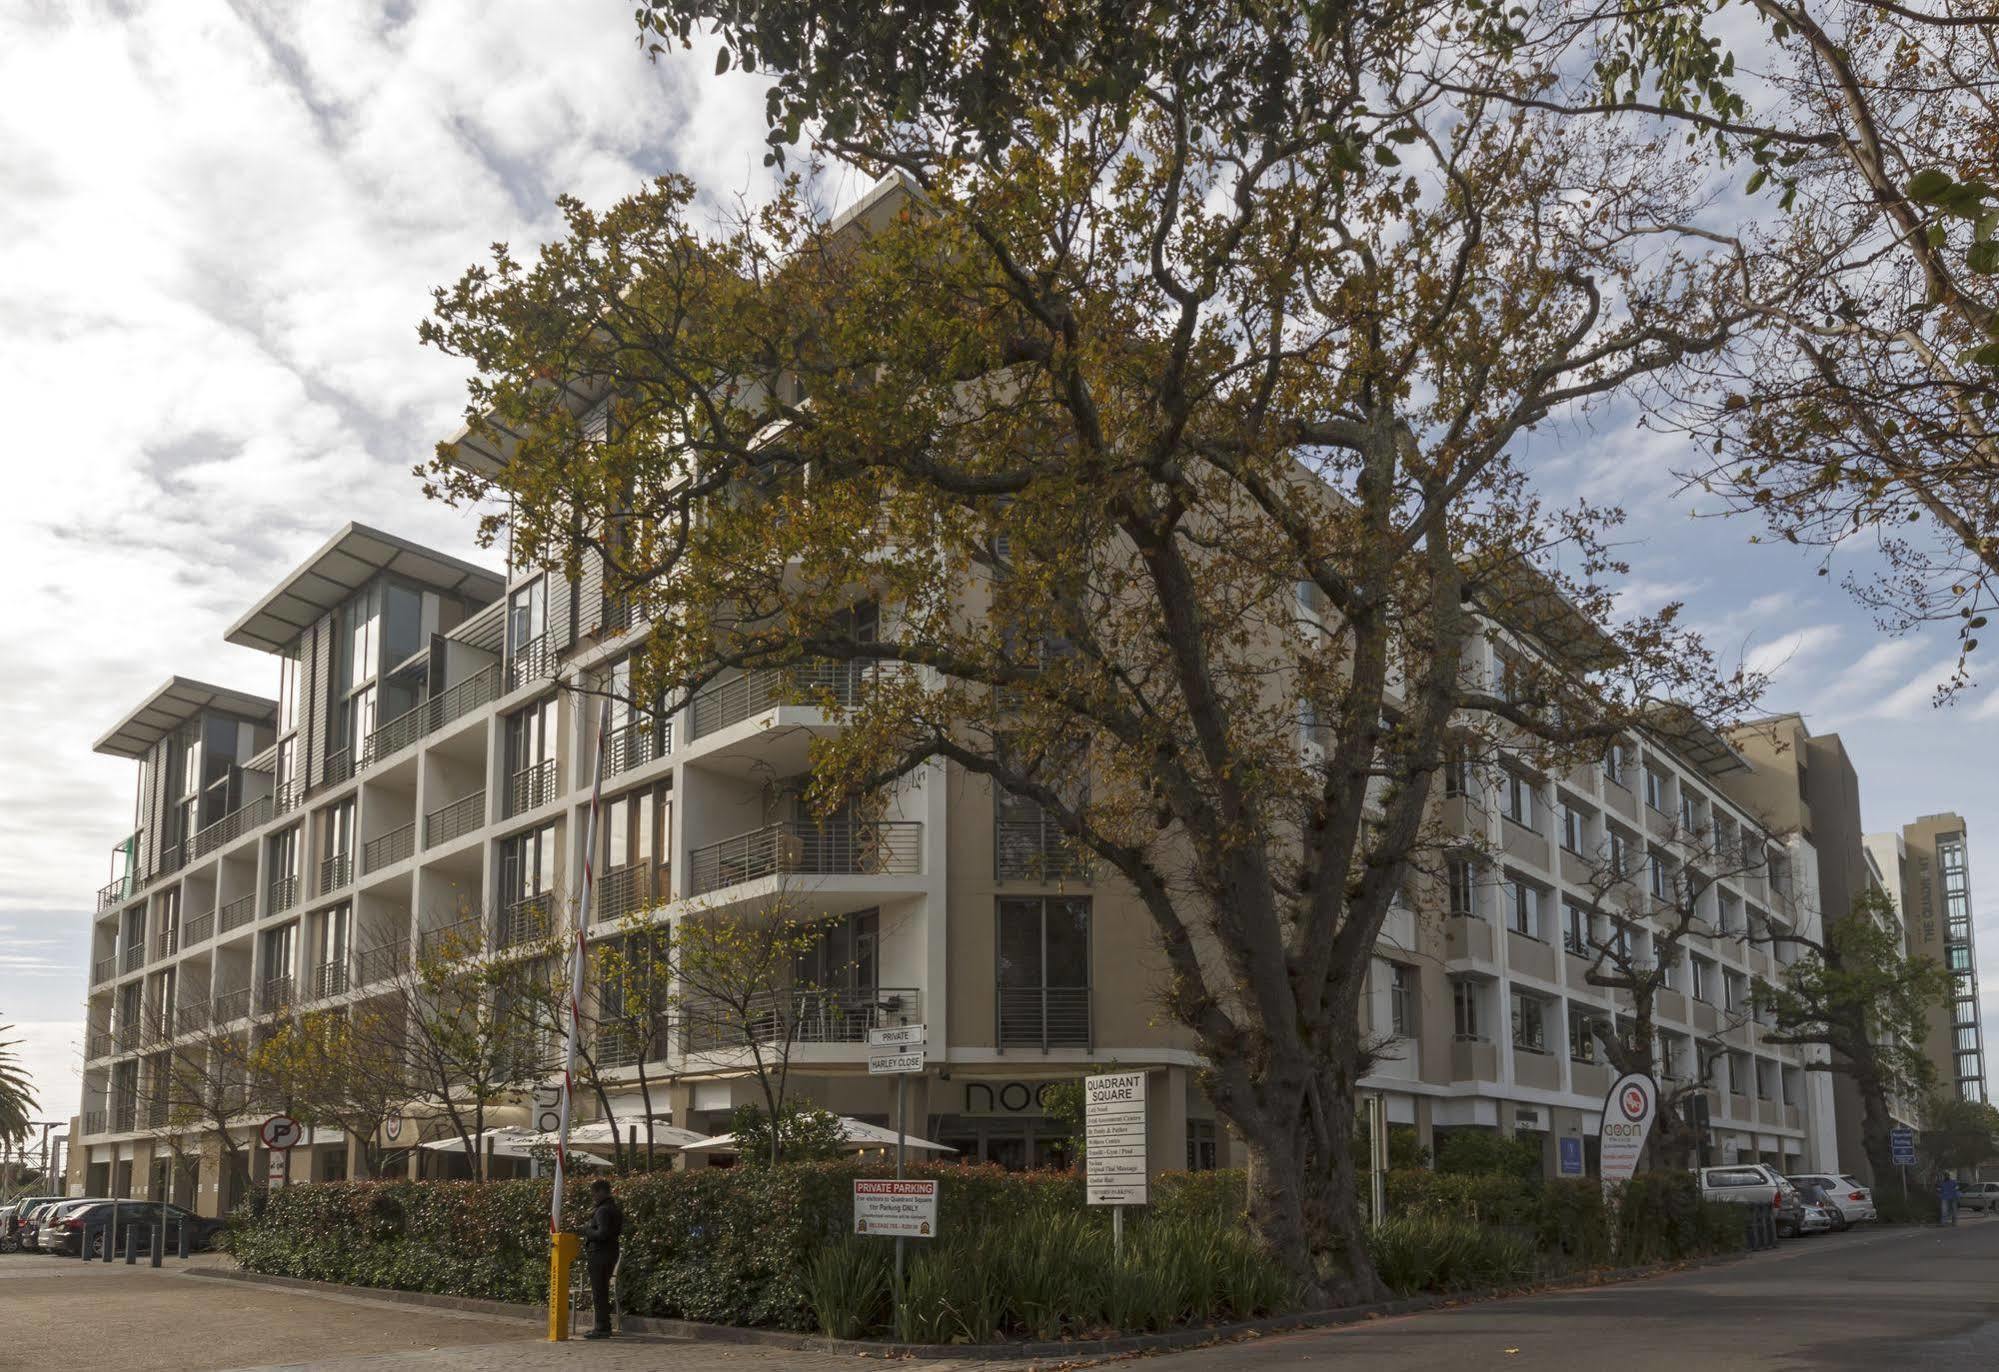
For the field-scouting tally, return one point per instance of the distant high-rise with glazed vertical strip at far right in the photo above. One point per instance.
(1928, 875)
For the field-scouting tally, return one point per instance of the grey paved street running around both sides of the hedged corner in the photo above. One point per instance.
(1874, 1299)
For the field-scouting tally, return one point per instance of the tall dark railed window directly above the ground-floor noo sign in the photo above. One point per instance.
(1044, 971)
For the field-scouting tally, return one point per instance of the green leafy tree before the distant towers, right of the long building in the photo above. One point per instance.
(1858, 993)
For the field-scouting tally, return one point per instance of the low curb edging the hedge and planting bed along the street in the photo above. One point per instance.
(691, 1331)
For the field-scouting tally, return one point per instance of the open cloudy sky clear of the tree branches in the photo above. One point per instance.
(219, 227)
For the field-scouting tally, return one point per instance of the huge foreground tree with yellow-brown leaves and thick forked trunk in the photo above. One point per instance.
(1170, 415)
